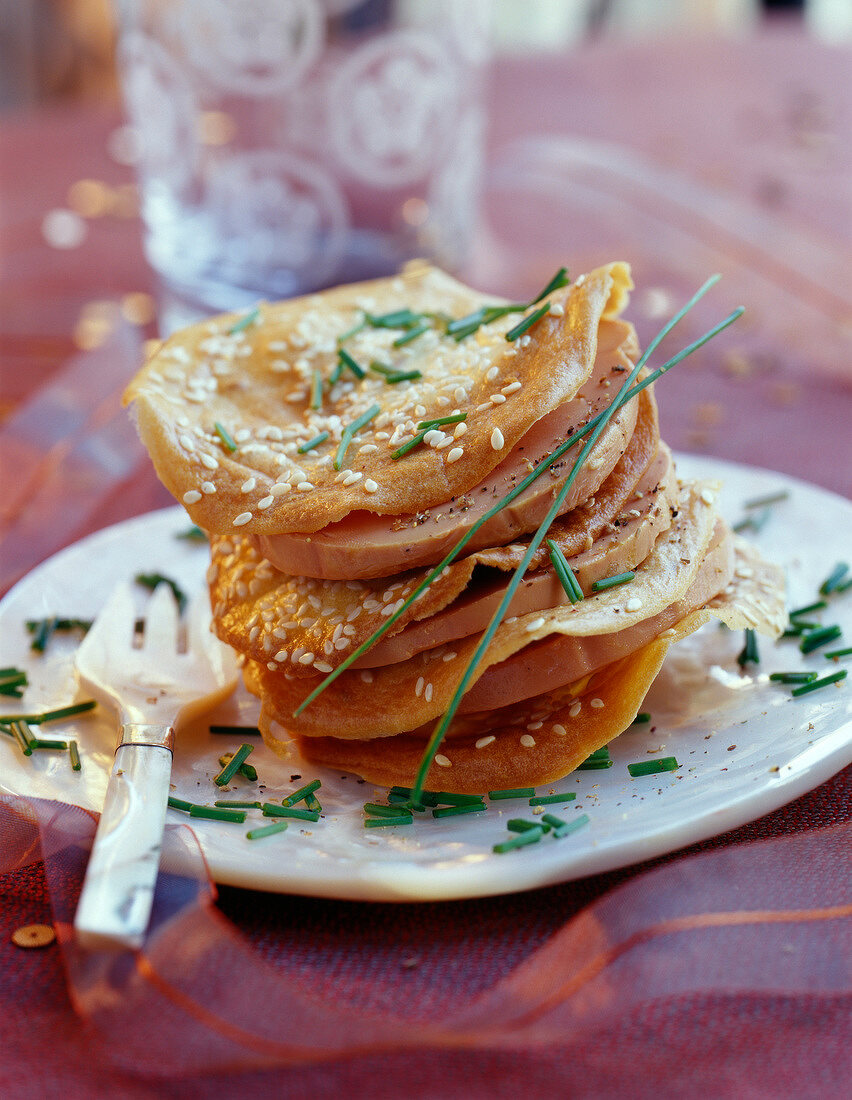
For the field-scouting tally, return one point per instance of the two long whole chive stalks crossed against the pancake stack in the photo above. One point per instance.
(591, 433)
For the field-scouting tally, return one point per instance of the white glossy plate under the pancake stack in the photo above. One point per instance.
(746, 747)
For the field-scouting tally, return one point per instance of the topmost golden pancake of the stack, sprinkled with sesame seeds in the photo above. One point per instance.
(224, 406)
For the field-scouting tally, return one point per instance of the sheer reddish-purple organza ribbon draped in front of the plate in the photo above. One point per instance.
(751, 947)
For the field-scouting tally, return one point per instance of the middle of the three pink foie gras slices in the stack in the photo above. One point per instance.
(472, 611)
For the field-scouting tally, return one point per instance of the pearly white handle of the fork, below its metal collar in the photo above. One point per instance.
(118, 892)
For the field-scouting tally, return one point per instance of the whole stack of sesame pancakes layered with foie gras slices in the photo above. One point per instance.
(320, 535)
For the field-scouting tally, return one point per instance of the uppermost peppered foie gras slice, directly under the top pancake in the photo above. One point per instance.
(366, 545)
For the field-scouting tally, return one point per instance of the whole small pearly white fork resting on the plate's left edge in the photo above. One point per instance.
(154, 689)
